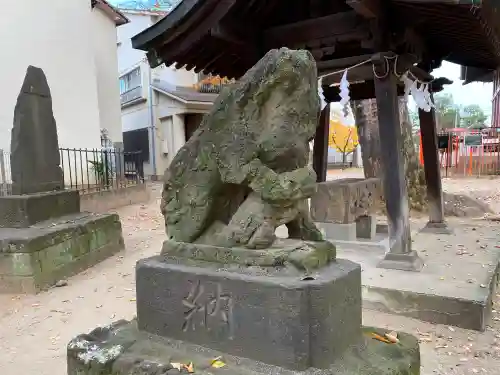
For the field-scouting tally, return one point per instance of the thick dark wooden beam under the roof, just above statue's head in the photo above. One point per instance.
(317, 28)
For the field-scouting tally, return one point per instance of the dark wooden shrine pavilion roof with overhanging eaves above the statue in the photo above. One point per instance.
(226, 37)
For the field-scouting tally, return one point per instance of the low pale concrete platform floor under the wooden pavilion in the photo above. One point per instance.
(453, 288)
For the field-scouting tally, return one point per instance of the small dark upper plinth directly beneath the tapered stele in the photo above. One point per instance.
(22, 211)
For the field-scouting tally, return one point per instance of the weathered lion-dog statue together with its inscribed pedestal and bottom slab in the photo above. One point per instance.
(224, 287)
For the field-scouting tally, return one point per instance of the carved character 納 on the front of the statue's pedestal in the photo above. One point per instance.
(205, 309)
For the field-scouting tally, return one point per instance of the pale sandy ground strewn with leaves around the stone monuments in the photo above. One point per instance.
(34, 330)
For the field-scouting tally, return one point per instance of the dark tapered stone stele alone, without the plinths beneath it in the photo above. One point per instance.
(34, 147)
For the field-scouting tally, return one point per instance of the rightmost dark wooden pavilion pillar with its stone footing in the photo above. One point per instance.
(432, 170)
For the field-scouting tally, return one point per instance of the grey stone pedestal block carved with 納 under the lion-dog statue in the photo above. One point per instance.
(264, 314)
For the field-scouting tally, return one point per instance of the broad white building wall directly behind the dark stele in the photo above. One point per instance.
(56, 37)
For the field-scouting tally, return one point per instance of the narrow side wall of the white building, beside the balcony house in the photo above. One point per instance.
(106, 63)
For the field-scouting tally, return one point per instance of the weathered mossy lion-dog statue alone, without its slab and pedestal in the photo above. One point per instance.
(244, 172)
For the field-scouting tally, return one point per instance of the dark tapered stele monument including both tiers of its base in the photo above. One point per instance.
(43, 235)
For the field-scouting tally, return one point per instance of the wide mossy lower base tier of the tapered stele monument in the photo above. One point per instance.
(35, 258)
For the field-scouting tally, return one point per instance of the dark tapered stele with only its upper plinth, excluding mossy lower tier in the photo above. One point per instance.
(37, 178)
